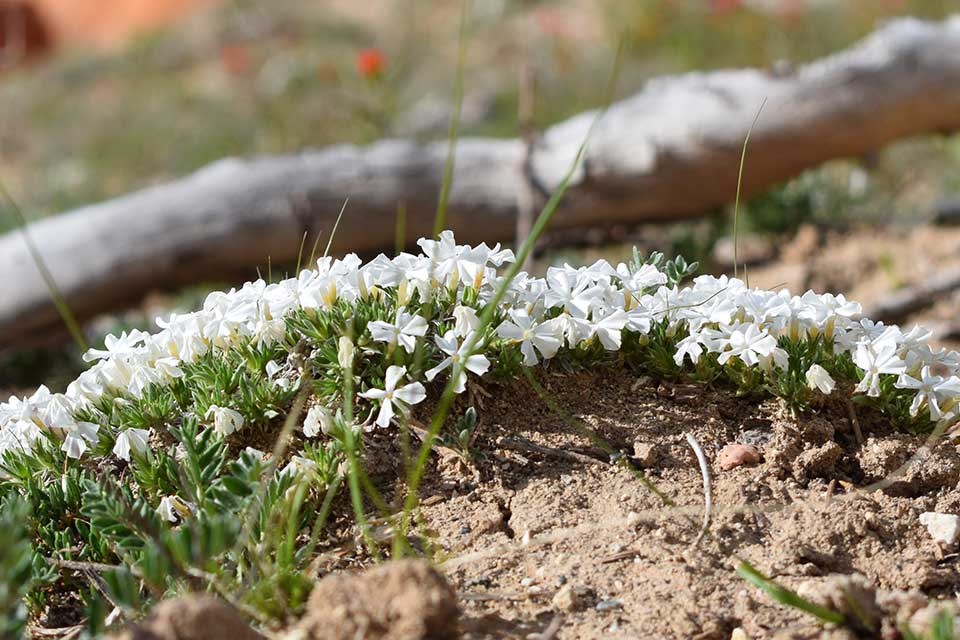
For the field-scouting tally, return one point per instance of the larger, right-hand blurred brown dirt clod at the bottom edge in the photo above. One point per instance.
(405, 599)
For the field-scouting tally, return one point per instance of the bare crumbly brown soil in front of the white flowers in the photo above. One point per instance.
(552, 529)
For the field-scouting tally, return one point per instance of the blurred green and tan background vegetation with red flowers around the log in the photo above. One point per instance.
(248, 78)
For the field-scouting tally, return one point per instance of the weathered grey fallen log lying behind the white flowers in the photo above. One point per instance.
(669, 152)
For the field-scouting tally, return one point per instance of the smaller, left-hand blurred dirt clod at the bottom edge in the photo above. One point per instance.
(197, 617)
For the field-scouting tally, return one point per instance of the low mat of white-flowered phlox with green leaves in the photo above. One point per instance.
(157, 441)
